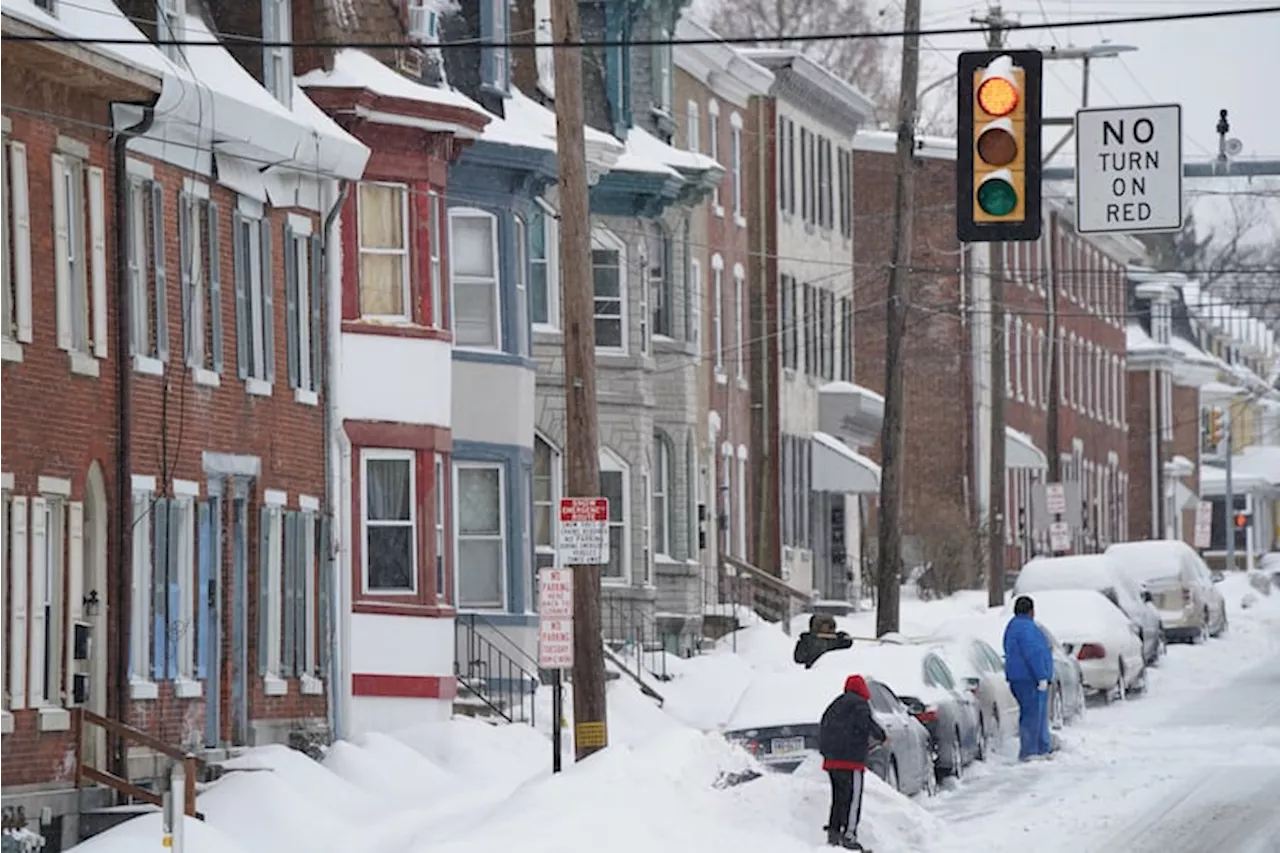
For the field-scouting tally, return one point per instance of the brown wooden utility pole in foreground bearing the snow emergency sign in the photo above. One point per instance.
(582, 434)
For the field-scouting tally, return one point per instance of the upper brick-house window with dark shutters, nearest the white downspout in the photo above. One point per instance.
(304, 297)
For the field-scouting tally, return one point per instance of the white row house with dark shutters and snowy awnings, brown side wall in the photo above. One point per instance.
(811, 419)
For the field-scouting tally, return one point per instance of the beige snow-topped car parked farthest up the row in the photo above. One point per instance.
(1178, 583)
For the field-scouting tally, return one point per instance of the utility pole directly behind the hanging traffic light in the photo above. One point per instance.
(996, 26)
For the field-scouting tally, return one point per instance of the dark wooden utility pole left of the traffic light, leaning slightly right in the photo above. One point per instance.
(890, 533)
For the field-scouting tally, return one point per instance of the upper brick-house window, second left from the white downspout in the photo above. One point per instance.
(255, 313)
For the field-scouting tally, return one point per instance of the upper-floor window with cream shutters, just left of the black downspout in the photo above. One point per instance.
(80, 258)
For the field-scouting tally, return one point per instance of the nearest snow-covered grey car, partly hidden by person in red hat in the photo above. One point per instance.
(778, 722)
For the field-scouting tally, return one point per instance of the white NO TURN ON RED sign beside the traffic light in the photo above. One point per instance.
(1130, 170)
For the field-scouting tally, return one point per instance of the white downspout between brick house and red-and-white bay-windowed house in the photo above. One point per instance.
(333, 491)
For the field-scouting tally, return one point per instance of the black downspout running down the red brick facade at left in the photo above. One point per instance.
(124, 427)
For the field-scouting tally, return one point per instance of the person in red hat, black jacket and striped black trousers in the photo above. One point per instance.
(844, 740)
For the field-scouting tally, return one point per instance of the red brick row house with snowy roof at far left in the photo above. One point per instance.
(163, 553)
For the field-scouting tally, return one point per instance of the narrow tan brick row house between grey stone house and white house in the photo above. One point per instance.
(714, 90)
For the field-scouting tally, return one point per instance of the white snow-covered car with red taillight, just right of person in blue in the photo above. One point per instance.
(1099, 635)
